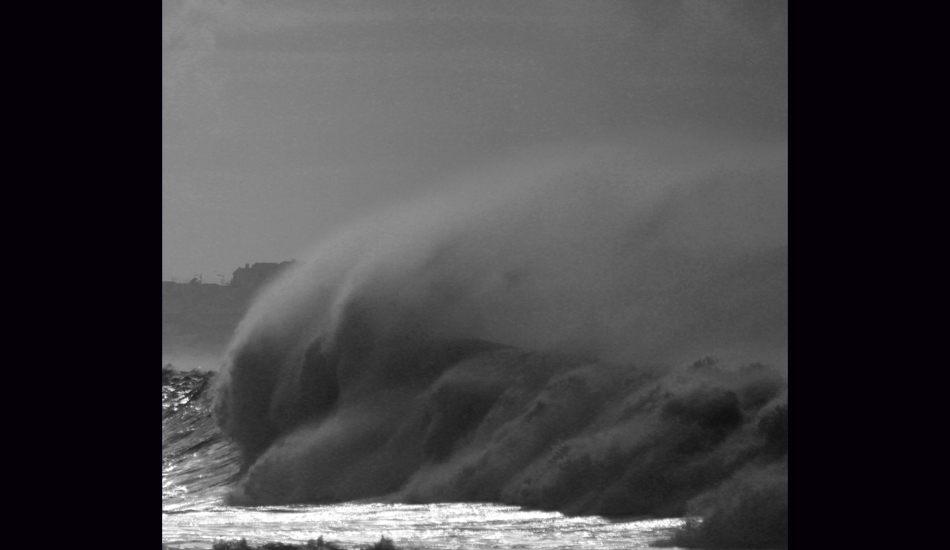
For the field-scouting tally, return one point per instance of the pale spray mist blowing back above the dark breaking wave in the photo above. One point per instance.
(649, 252)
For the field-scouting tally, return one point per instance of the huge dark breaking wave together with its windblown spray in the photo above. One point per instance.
(530, 343)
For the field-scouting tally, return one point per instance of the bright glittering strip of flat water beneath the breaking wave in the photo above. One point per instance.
(428, 526)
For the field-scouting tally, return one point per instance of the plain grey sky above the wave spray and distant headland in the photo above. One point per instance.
(282, 121)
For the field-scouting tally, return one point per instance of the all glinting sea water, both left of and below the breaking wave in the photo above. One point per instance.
(198, 466)
